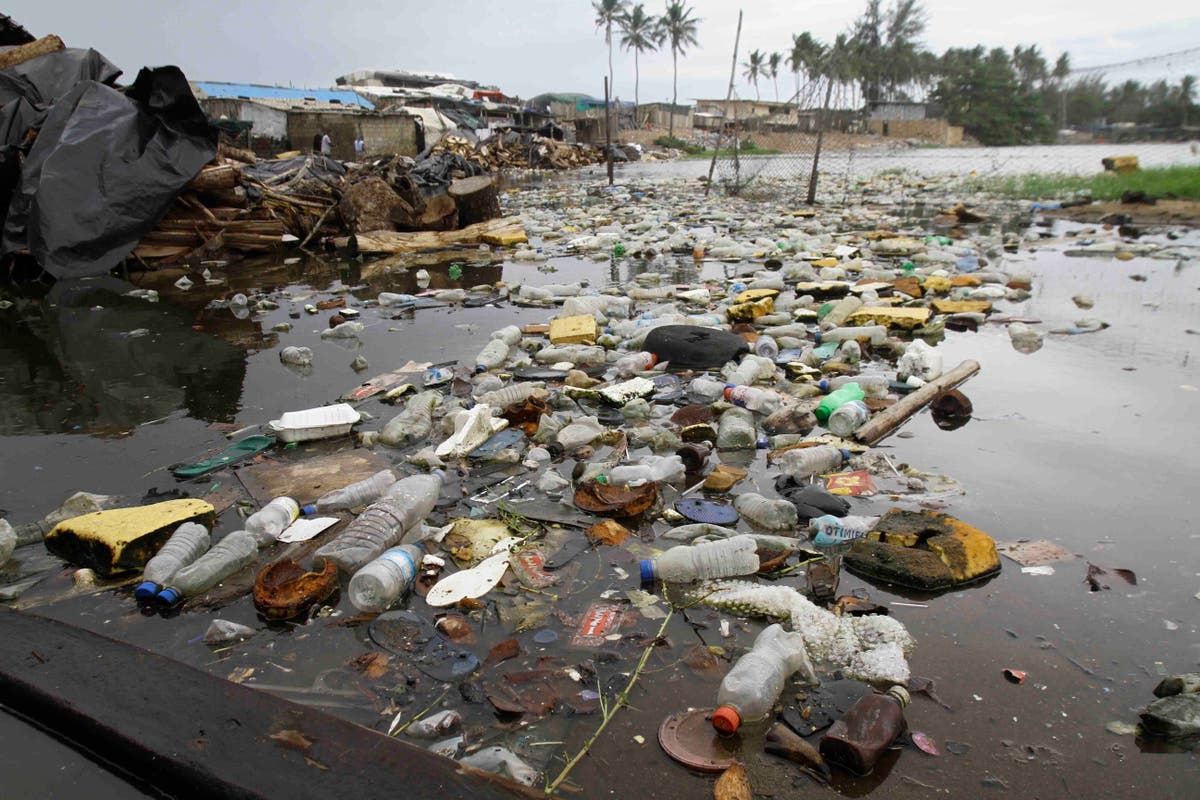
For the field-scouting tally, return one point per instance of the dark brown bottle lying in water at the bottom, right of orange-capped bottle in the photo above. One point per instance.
(872, 725)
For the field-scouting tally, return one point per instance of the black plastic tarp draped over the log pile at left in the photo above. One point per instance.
(106, 165)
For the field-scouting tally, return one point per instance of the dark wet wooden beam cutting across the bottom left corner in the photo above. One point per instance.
(190, 735)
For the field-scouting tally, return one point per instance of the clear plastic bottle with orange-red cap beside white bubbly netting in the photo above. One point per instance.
(752, 688)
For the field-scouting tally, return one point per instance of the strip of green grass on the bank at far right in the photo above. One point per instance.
(1165, 183)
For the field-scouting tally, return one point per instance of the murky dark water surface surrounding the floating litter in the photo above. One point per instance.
(1091, 443)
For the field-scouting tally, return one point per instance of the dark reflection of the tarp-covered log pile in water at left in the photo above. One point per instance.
(87, 359)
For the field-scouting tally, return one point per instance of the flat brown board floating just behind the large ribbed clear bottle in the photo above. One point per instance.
(308, 478)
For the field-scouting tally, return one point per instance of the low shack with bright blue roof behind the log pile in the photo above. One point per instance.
(283, 118)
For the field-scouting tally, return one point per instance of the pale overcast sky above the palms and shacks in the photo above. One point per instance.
(527, 47)
